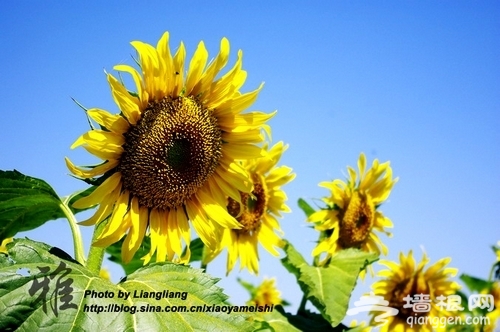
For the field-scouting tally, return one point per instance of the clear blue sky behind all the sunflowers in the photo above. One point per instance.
(416, 83)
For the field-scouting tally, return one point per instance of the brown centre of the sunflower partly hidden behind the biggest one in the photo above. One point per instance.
(254, 207)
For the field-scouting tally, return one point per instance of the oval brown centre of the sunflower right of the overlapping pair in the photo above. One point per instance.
(357, 221)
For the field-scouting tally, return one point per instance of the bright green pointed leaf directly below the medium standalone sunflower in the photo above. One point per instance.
(328, 288)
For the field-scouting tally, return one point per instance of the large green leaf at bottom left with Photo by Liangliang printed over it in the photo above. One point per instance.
(75, 299)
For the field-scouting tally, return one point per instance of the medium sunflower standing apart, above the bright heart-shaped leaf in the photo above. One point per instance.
(352, 216)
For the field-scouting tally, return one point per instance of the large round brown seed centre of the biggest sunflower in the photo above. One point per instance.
(171, 152)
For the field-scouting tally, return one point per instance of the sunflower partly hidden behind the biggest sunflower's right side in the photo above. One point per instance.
(257, 212)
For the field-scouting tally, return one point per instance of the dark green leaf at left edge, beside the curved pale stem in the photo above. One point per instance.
(25, 203)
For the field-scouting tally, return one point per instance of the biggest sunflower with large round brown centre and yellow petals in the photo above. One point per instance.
(172, 153)
